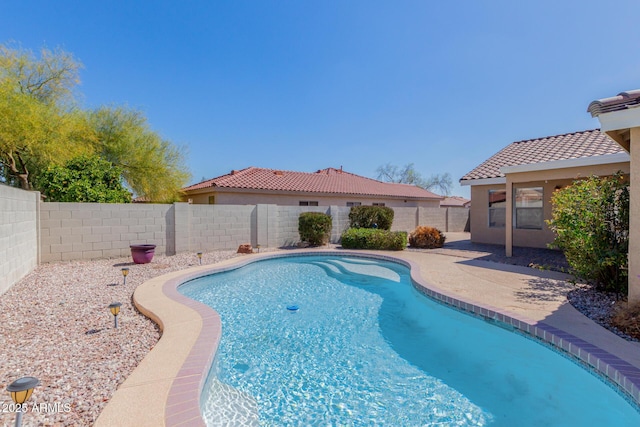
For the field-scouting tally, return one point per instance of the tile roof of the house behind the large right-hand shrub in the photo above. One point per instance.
(573, 145)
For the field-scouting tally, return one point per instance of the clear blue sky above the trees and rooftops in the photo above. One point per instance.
(305, 85)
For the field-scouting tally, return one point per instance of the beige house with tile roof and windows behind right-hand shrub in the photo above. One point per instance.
(511, 191)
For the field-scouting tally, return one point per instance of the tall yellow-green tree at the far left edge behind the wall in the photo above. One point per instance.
(38, 125)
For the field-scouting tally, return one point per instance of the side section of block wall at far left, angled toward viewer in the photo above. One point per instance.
(18, 234)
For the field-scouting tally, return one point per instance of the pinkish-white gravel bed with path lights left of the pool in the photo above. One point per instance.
(55, 326)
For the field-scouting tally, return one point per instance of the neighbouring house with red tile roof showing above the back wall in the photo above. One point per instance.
(325, 187)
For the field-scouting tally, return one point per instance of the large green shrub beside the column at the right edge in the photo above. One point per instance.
(591, 222)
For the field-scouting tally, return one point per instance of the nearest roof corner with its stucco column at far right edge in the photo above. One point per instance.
(619, 118)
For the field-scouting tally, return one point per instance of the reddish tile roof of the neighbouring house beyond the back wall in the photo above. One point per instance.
(330, 180)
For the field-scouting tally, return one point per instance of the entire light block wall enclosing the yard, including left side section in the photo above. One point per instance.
(32, 232)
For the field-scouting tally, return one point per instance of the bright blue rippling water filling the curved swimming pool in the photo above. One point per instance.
(364, 348)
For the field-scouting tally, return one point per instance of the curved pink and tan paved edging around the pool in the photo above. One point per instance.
(165, 389)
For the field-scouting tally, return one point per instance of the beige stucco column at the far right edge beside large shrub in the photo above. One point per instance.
(634, 216)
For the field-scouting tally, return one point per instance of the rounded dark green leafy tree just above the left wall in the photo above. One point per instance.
(84, 179)
